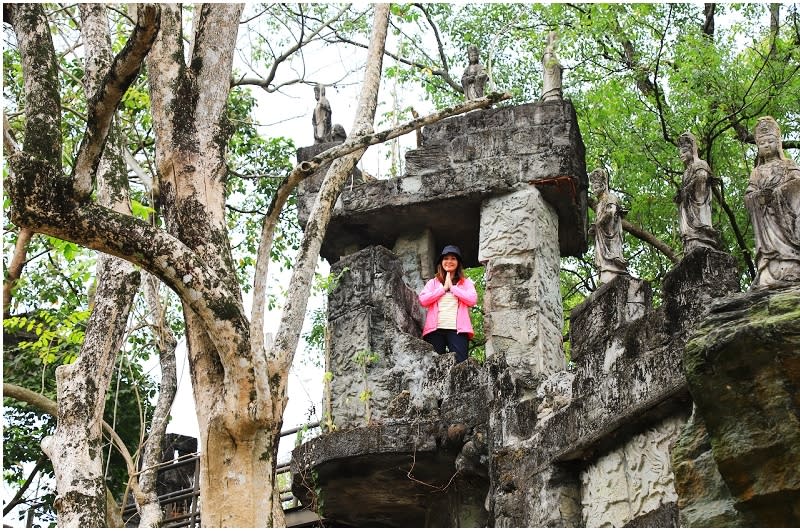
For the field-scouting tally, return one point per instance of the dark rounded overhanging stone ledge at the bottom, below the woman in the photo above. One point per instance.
(397, 474)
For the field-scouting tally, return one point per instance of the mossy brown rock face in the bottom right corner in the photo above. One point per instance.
(743, 369)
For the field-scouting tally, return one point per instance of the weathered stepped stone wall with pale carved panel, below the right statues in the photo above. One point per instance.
(628, 391)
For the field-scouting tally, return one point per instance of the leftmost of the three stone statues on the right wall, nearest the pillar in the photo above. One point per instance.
(607, 229)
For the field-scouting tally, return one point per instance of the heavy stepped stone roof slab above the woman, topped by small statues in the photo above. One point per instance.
(463, 161)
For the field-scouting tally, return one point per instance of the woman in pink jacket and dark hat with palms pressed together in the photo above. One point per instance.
(447, 298)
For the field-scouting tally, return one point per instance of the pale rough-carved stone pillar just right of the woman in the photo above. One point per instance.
(523, 320)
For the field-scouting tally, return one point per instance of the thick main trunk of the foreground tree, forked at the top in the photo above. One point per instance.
(229, 379)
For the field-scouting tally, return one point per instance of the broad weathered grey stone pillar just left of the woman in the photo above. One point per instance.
(372, 309)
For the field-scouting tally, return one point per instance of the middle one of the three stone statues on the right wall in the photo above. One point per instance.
(694, 198)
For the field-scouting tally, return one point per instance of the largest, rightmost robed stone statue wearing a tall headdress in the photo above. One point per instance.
(773, 200)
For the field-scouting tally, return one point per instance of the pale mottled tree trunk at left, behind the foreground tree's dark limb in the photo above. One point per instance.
(75, 448)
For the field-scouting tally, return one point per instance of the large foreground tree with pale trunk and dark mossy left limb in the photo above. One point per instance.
(239, 380)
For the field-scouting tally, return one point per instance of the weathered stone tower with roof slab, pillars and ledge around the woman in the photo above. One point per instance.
(504, 166)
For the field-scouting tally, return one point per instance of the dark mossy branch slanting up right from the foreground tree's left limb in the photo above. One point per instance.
(103, 104)
